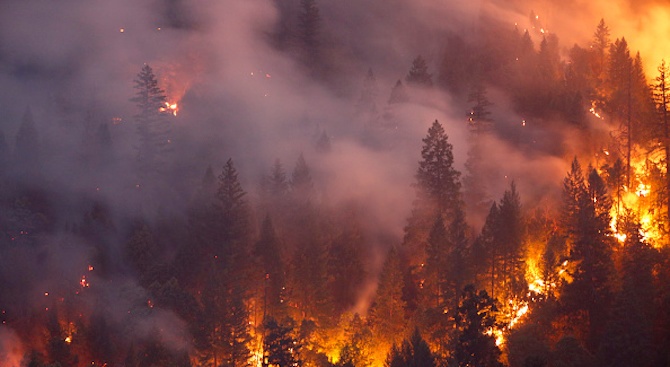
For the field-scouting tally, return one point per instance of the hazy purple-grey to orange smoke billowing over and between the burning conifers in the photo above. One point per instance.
(241, 97)
